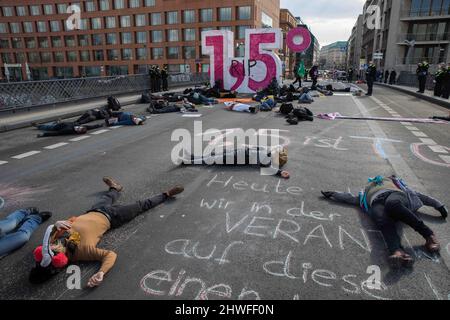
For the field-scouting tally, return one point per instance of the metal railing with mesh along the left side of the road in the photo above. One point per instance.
(28, 94)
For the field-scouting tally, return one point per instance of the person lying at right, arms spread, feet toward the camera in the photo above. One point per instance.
(388, 201)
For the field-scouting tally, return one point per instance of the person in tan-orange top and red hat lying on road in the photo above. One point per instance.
(75, 240)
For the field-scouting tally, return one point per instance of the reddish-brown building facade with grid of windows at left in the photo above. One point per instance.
(119, 36)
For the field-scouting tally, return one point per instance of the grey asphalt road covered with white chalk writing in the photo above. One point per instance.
(234, 233)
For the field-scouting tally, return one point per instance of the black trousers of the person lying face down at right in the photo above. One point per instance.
(390, 209)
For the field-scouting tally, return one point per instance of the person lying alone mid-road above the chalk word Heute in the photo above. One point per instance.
(260, 156)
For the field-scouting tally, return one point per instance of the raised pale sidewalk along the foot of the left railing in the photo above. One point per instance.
(23, 119)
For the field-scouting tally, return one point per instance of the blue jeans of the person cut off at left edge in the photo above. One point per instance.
(12, 239)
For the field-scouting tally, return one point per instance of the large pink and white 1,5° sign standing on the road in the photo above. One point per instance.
(259, 66)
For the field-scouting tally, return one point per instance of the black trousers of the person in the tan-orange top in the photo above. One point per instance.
(121, 214)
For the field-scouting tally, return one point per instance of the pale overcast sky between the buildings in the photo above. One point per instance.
(329, 20)
